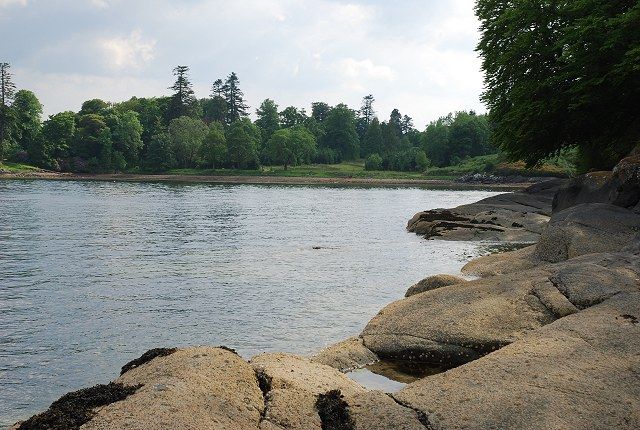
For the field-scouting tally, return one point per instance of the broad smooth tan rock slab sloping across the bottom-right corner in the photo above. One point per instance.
(579, 372)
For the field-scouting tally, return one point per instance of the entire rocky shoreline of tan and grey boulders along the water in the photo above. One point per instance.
(548, 337)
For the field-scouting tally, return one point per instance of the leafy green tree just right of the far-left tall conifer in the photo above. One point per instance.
(28, 128)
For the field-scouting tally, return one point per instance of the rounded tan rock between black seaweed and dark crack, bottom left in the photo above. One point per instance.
(204, 388)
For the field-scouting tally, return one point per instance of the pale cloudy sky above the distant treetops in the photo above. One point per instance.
(414, 55)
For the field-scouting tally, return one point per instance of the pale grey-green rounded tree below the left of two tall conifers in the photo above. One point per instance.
(187, 135)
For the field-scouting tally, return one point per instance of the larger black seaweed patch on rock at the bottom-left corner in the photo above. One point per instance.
(74, 409)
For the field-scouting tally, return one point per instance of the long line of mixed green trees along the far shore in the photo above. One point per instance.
(181, 131)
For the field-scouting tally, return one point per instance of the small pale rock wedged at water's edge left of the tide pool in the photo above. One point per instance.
(346, 355)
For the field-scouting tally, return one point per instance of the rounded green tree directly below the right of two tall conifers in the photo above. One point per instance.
(243, 138)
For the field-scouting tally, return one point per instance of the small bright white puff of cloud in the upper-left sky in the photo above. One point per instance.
(128, 52)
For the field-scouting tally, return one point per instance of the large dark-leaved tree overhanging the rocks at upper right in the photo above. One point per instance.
(562, 74)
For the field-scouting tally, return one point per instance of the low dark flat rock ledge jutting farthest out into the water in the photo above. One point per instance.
(515, 217)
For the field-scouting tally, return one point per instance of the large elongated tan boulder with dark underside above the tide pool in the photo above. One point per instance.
(460, 323)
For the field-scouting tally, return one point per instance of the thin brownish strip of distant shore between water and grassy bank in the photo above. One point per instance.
(258, 180)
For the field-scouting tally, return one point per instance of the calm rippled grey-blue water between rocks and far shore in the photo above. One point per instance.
(94, 274)
